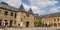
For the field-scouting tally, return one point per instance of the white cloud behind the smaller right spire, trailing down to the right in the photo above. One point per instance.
(35, 9)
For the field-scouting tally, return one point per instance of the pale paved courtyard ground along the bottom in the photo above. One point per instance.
(38, 28)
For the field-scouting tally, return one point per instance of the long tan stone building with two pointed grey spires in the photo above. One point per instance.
(15, 17)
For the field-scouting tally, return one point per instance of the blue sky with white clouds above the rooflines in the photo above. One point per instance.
(40, 7)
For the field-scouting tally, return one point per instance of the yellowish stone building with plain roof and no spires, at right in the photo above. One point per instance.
(52, 20)
